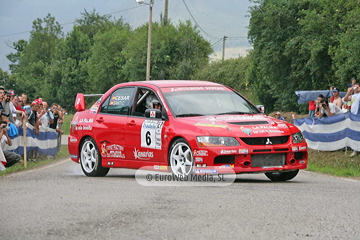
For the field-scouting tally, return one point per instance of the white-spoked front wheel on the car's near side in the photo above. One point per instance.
(181, 159)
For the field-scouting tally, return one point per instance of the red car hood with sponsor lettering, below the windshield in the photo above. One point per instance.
(249, 125)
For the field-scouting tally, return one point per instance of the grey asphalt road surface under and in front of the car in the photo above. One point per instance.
(58, 202)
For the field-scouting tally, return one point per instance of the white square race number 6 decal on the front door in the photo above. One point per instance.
(151, 134)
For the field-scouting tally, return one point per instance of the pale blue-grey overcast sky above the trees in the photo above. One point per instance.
(216, 18)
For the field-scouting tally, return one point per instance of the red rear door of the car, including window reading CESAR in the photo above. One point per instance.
(110, 123)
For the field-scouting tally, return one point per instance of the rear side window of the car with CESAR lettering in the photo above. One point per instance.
(118, 102)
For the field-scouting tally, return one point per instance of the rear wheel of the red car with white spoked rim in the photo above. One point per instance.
(90, 159)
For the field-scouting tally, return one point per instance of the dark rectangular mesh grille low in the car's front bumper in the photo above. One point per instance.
(268, 160)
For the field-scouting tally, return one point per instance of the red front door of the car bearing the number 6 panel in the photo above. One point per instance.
(144, 135)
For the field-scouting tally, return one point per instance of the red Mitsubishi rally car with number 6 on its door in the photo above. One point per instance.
(184, 127)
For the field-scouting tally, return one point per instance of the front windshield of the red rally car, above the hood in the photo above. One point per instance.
(207, 102)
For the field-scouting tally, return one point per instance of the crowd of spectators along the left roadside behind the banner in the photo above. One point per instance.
(17, 110)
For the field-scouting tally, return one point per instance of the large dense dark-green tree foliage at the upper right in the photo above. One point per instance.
(301, 45)
